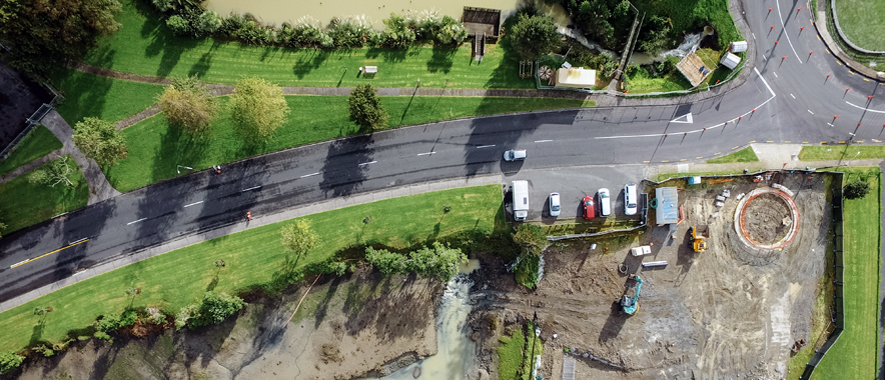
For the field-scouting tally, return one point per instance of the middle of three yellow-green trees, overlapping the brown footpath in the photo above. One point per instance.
(188, 104)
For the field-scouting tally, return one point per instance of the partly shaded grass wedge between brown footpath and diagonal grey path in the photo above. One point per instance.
(88, 95)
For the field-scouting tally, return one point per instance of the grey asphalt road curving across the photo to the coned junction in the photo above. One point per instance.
(793, 99)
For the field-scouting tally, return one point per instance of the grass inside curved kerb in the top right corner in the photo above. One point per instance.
(861, 21)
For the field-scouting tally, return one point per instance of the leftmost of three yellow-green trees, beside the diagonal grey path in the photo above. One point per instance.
(100, 140)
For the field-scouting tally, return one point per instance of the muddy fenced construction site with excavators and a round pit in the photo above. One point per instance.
(725, 289)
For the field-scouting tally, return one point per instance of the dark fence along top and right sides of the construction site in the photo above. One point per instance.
(838, 269)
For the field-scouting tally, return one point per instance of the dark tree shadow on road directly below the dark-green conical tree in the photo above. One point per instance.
(343, 172)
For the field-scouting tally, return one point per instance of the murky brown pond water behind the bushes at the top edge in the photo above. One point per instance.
(279, 11)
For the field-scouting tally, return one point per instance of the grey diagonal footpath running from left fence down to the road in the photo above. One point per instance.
(99, 188)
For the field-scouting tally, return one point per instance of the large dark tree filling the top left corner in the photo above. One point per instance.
(44, 33)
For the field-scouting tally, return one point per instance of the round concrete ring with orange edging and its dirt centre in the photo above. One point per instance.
(767, 218)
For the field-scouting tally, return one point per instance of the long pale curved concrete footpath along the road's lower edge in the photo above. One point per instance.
(257, 221)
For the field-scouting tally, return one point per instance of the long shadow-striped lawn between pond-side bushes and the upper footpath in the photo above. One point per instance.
(144, 45)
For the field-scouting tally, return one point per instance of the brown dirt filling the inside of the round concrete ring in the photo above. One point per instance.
(767, 219)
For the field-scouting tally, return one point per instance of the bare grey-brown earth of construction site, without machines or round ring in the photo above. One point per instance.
(731, 312)
